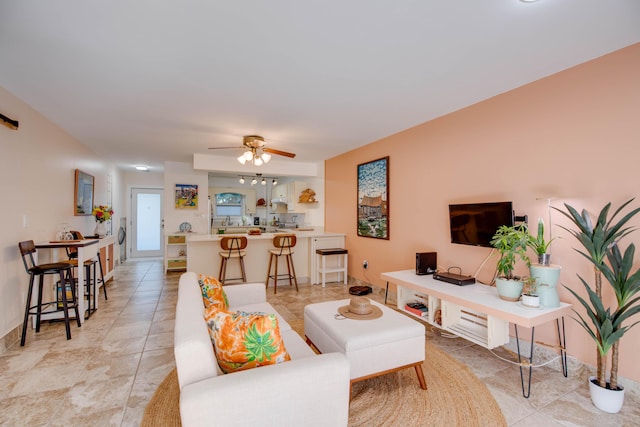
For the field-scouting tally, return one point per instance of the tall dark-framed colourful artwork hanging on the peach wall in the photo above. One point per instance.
(373, 199)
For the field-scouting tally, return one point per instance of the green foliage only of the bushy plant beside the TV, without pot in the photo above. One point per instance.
(511, 243)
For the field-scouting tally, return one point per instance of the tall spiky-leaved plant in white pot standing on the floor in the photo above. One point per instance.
(605, 324)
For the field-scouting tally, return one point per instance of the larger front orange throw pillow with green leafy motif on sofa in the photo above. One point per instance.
(245, 340)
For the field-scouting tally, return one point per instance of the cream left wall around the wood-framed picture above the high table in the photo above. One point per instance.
(37, 164)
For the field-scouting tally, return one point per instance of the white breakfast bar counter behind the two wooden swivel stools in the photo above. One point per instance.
(203, 254)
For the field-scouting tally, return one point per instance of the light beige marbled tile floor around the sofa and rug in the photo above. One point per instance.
(108, 371)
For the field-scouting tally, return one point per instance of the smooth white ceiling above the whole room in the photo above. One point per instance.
(146, 81)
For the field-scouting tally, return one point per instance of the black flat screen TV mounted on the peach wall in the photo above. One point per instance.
(476, 223)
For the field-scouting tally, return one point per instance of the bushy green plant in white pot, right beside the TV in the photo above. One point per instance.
(511, 243)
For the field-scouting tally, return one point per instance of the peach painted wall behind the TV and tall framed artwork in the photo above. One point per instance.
(572, 136)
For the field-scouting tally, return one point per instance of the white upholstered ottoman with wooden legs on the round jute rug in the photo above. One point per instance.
(374, 347)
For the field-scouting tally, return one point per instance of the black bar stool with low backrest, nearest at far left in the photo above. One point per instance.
(63, 269)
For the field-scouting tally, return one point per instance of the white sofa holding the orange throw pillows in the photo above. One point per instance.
(310, 390)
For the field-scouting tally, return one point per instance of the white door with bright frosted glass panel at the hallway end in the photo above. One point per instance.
(147, 223)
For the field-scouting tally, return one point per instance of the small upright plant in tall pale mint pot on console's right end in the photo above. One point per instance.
(545, 273)
